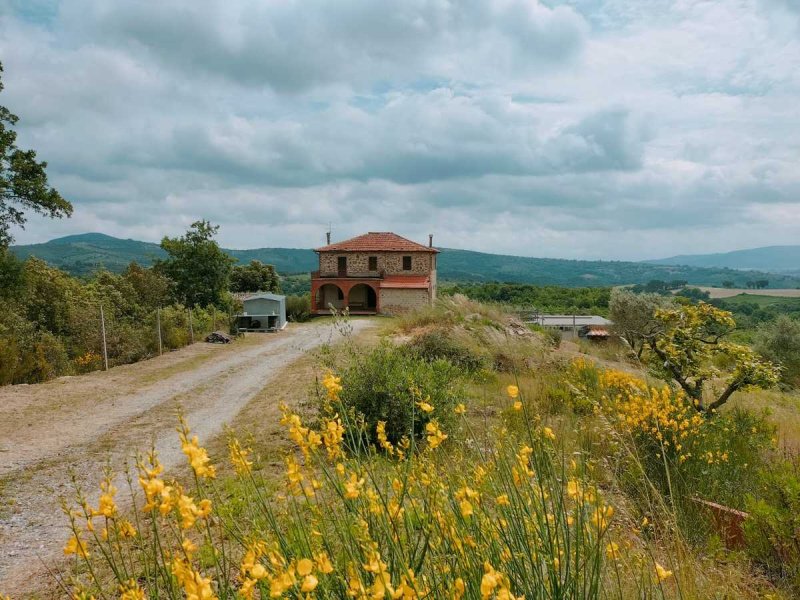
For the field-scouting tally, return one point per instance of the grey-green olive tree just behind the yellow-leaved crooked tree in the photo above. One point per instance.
(633, 316)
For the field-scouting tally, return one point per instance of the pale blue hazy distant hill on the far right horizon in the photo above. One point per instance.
(774, 259)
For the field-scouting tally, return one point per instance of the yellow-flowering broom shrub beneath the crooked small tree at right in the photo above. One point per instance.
(682, 452)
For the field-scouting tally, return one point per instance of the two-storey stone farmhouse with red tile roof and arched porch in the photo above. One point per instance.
(374, 273)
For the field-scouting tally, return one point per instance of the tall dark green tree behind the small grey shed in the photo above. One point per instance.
(197, 265)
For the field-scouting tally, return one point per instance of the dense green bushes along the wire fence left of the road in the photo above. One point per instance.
(50, 324)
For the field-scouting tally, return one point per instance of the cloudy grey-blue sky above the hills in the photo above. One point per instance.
(580, 129)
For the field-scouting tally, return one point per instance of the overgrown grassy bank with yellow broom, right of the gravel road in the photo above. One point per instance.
(461, 456)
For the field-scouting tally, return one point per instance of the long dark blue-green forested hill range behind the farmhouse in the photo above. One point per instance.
(82, 254)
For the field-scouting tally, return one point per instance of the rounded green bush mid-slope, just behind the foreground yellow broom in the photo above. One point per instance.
(388, 383)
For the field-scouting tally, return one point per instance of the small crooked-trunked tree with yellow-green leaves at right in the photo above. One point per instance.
(688, 342)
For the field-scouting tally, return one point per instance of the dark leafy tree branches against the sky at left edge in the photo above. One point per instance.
(23, 181)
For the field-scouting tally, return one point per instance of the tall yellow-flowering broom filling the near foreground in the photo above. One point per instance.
(512, 522)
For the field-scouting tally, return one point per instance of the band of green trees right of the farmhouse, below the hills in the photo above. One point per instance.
(553, 299)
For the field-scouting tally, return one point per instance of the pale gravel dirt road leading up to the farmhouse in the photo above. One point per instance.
(77, 423)
